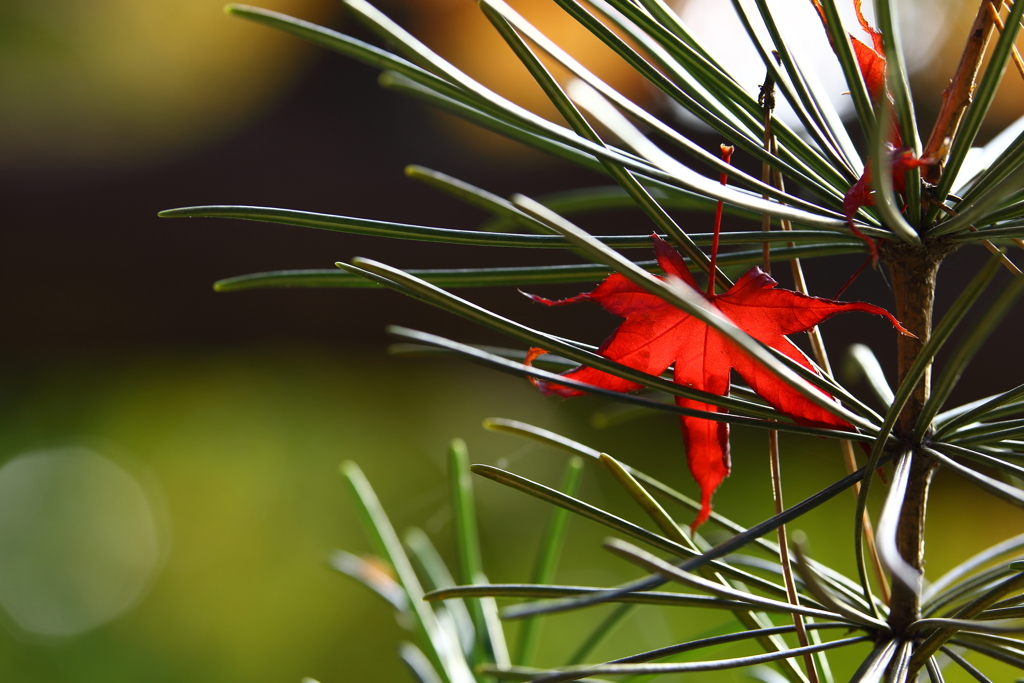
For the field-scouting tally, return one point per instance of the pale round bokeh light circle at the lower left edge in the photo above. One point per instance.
(81, 540)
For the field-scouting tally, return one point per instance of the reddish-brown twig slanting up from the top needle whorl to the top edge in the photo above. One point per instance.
(958, 95)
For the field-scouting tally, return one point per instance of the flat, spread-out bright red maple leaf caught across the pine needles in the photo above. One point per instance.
(657, 335)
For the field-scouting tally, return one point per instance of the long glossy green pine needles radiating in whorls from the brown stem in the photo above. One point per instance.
(795, 610)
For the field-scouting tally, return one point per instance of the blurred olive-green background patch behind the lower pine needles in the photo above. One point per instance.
(244, 448)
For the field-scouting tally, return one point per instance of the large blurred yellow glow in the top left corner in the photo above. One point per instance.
(100, 82)
